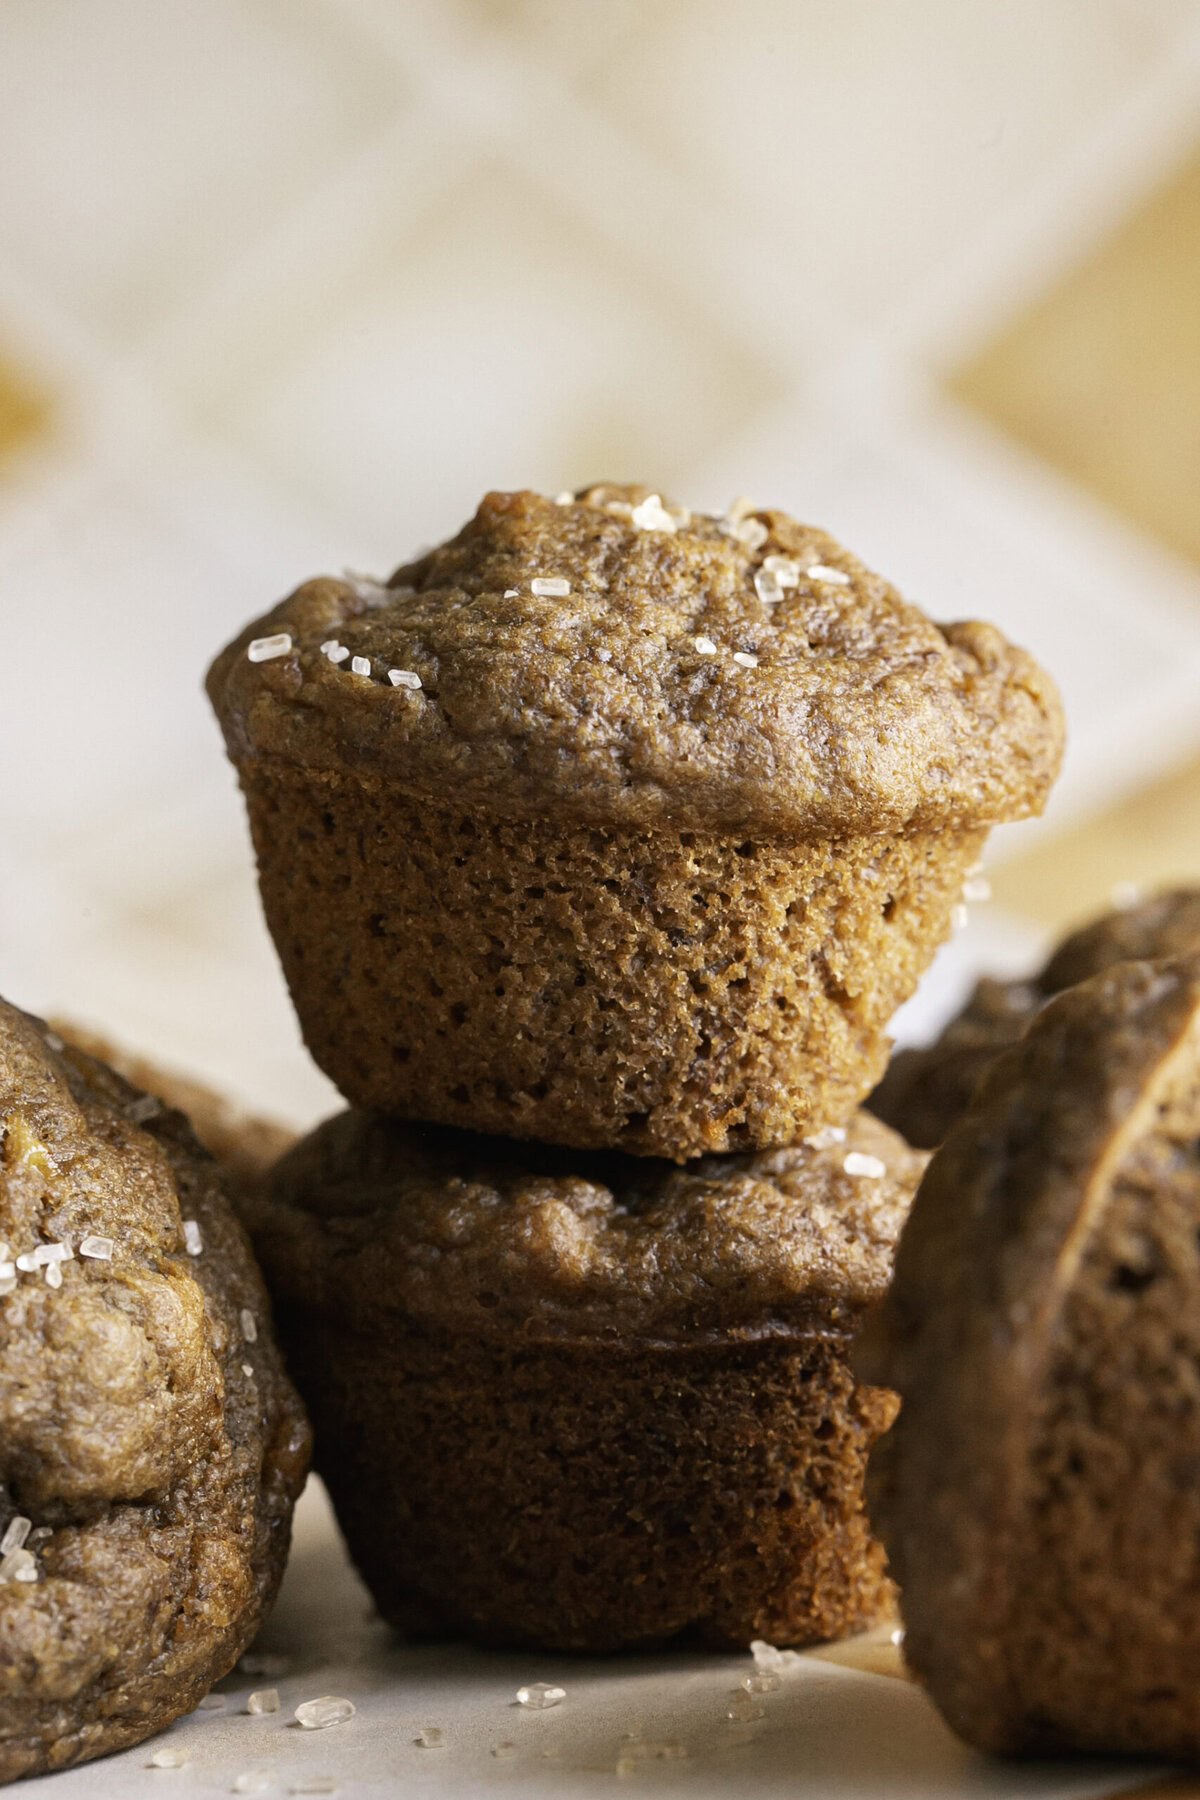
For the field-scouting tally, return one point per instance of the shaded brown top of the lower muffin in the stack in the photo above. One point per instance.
(372, 1219)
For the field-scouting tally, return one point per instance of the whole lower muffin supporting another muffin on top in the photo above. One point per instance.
(591, 1403)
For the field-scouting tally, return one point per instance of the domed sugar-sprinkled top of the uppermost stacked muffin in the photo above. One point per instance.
(614, 661)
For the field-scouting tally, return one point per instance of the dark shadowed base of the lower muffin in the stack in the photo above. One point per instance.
(598, 1500)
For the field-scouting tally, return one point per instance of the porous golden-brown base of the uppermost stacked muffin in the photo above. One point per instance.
(670, 994)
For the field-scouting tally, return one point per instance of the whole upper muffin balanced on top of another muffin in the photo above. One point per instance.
(613, 825)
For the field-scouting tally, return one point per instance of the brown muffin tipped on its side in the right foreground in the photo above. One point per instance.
(1039, 1493)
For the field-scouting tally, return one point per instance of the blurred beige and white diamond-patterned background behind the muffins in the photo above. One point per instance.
(287, 283)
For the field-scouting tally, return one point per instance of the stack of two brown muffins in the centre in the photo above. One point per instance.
(605, 840)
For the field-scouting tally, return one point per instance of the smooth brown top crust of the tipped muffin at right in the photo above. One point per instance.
(985, 1270)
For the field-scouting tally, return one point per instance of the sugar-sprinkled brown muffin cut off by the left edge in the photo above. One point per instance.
(152, 1446)
